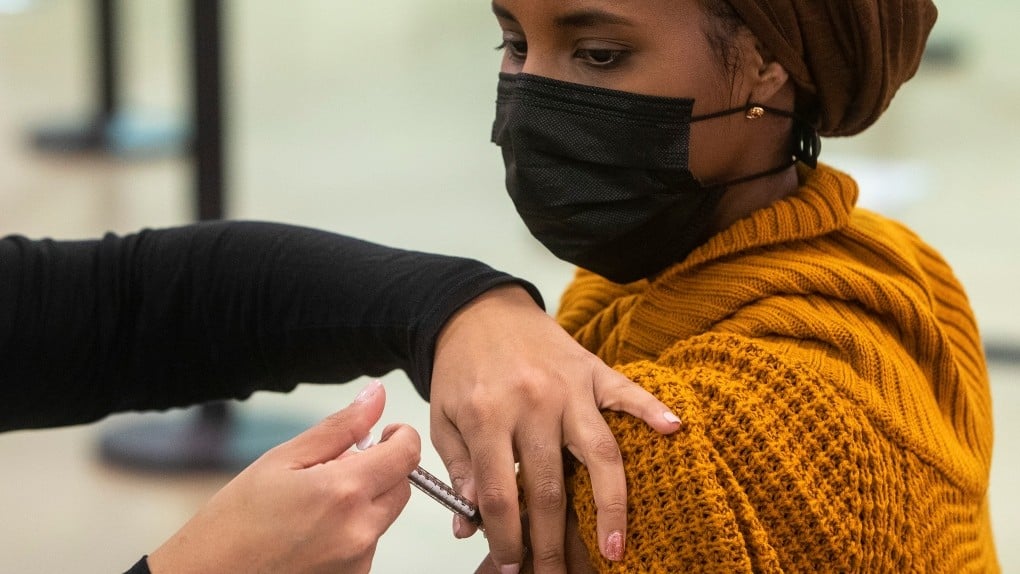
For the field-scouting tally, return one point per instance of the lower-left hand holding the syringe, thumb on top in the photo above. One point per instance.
(310, 505)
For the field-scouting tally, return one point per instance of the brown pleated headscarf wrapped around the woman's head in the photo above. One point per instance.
(852, 56)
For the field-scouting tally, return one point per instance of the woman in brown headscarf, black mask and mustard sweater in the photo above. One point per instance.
(824, 359)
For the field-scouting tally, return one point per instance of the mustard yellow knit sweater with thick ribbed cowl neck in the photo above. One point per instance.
(833, 386)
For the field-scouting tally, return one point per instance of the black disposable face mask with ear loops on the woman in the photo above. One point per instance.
(601, 177)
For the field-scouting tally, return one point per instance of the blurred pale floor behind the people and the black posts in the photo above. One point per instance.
(373, 120)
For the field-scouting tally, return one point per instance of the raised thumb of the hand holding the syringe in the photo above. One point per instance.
(338, 433)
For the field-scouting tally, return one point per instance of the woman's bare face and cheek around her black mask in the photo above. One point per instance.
(652, 47)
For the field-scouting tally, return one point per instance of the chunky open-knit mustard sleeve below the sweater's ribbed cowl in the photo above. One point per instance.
(780, 464)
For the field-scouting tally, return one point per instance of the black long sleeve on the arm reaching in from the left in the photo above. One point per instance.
(174, 318)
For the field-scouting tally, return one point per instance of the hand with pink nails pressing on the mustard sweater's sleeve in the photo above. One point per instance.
(511, 386)
